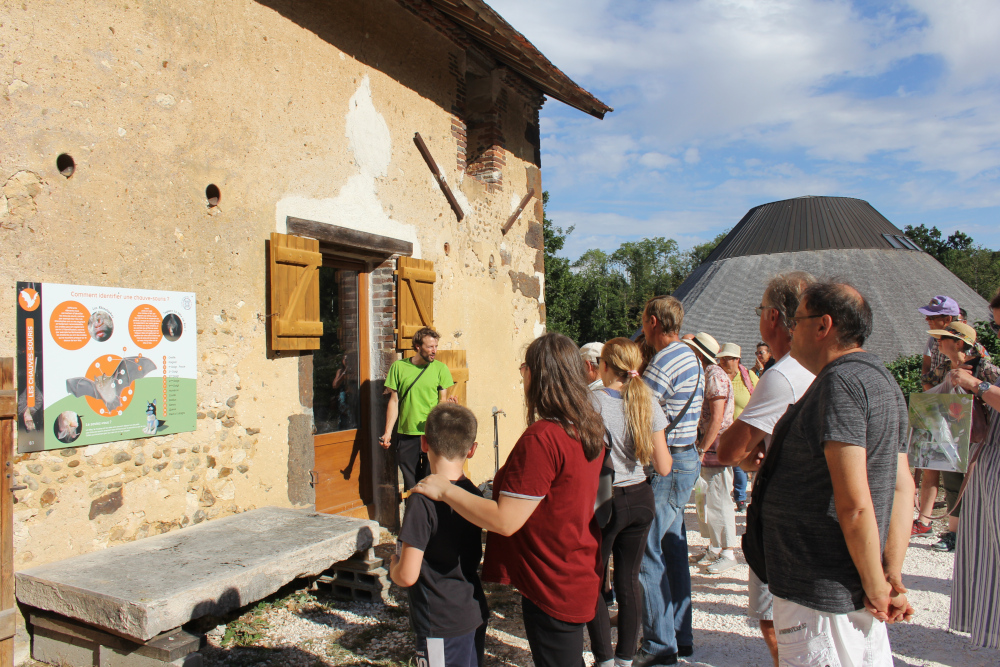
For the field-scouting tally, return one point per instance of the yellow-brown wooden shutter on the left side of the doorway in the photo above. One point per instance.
(294, 265)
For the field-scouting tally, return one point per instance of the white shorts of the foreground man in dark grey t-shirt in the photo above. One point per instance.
(810, 638)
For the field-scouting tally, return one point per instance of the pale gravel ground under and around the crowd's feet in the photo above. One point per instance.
(303, 628)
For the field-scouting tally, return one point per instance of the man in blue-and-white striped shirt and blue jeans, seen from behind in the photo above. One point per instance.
(675, 376)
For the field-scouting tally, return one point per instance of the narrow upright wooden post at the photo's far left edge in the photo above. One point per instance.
(8, 420)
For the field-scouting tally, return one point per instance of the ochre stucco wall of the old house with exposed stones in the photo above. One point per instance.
(308, 113)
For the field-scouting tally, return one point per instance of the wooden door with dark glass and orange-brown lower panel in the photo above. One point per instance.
(340, 388)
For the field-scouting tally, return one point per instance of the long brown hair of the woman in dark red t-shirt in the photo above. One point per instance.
(558, 391)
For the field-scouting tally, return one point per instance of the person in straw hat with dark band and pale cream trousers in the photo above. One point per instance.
(716, 417)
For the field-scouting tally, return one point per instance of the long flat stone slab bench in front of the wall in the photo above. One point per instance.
(150, 586)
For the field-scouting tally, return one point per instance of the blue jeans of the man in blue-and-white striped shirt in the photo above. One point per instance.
(665, 578)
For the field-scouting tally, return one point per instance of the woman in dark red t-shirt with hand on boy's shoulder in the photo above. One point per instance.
(552, 555)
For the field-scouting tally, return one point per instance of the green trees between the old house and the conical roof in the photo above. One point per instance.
(601, 295)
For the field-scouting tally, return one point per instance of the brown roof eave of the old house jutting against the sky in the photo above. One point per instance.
(510, 47)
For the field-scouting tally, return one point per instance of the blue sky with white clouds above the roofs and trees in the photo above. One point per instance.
(721, 105)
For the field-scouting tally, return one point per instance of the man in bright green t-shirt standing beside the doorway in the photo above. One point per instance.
(415, 386)
